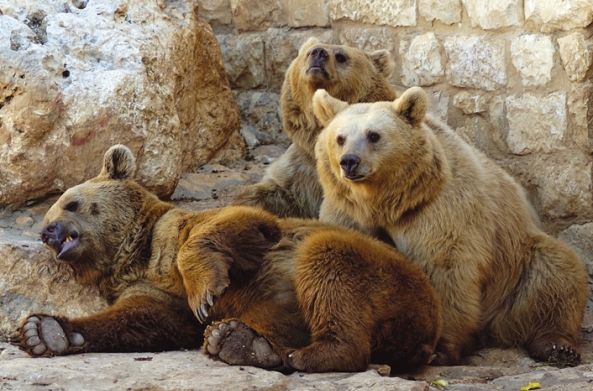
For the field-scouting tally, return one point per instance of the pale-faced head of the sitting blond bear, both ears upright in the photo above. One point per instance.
(362, 139)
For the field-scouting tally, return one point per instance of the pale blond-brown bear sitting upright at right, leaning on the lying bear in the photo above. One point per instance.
(449, 209)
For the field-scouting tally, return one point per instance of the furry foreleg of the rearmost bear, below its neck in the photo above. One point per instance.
(290, 187)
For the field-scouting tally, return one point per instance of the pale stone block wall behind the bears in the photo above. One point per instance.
(513, 77)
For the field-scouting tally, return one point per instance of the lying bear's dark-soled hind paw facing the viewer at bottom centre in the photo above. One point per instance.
(237, 344)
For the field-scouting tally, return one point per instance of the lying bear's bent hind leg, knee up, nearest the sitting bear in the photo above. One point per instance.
(333, 295)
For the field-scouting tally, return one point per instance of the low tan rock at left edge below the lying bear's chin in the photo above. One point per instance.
(33, 282)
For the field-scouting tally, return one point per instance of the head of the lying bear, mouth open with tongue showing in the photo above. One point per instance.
(88, 224)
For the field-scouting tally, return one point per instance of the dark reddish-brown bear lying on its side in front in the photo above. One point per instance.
(280, 294)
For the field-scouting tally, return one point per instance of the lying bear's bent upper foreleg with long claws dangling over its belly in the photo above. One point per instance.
(229, 249)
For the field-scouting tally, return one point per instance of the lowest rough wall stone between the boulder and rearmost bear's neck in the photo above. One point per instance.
(262, 116)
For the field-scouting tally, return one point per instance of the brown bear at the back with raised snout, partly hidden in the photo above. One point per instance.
(290, 187)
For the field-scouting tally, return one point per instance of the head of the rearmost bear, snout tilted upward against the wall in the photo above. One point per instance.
(345, 72)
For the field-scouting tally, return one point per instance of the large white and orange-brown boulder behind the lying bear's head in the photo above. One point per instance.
(77, 76)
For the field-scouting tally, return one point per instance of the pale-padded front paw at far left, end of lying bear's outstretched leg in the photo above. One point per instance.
(43, 336)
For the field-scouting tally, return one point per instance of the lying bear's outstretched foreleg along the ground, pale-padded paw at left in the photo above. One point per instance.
(130, 325)
